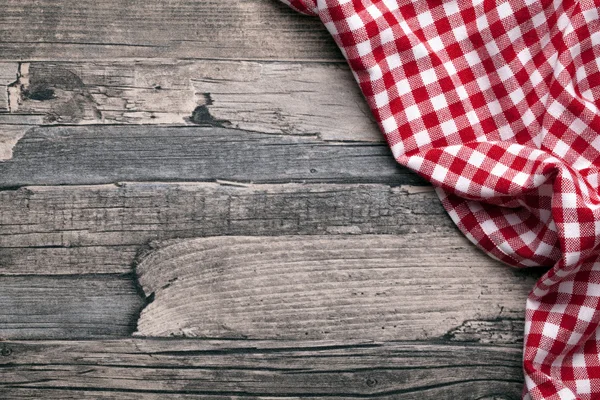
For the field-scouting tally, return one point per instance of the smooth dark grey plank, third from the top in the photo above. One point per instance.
(108, 154)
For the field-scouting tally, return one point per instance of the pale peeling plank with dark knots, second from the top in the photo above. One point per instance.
(278, 98)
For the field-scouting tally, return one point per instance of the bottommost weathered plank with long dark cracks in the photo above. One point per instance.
(193, 369)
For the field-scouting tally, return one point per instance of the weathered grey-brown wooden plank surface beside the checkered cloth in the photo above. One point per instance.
(196, 203)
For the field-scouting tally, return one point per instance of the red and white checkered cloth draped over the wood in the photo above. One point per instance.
(496, 102)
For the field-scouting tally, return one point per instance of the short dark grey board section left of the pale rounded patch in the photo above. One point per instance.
(67, 306)
